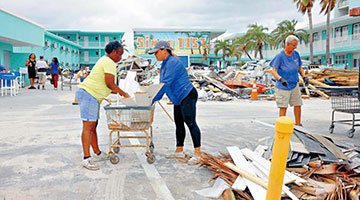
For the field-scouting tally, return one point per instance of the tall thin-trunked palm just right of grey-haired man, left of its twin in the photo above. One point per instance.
(305, 6)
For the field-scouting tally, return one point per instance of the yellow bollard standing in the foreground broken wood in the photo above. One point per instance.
(283, 128)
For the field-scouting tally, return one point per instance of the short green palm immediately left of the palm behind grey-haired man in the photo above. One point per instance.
(257, 38)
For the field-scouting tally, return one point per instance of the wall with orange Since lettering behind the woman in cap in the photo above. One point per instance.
(189, 44)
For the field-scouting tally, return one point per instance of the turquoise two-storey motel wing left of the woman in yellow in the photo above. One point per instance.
(19, 37)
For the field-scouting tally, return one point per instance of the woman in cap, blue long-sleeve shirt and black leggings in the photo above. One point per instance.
(181, 92)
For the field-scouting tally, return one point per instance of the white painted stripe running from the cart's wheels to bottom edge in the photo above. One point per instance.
(158, 184)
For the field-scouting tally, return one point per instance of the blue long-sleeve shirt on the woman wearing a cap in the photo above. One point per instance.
(176, 80)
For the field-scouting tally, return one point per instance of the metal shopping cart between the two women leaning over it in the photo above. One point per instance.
(130, 119)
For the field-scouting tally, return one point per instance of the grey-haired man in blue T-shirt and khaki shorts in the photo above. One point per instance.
(285, 68)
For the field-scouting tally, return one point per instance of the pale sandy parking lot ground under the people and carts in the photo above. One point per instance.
(41, 154)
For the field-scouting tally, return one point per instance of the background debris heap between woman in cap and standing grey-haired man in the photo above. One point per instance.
(233, 83)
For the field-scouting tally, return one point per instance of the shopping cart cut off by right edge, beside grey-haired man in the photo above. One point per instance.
(345, 101)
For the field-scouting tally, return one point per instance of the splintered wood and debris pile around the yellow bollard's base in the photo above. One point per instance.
(321, 171)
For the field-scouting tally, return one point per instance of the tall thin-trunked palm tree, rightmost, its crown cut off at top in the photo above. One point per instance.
(326, 7)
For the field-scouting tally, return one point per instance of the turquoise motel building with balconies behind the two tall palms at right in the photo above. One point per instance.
(344, 37)
